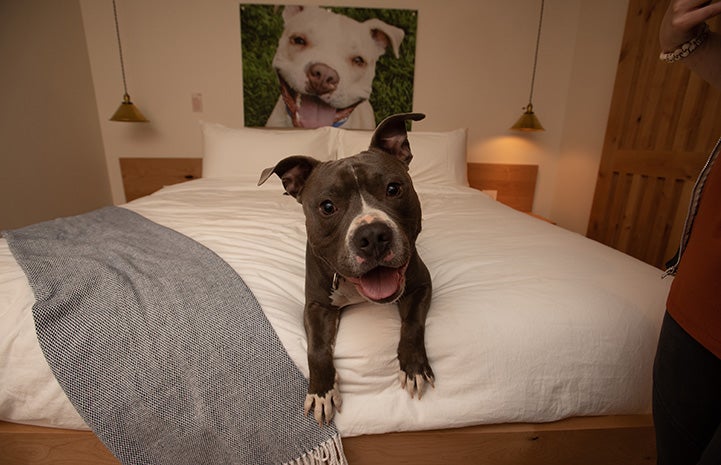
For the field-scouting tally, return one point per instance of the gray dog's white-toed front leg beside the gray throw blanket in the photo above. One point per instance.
(321, 325)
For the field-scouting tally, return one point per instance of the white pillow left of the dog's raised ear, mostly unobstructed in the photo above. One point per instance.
(246, 152)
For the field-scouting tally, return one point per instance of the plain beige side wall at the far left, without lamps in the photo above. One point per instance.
(51, 154)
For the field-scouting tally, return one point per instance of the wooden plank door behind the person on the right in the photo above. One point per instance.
(662, 125)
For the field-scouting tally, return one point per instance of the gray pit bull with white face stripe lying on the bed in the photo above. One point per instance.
(362, 220)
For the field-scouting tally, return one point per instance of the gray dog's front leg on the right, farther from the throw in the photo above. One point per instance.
(413, 307)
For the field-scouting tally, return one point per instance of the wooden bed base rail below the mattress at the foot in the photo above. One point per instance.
(618, 440)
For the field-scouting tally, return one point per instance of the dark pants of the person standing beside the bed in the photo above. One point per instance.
(686, 399)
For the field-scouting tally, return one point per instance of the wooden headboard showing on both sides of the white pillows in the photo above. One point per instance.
(515, 184)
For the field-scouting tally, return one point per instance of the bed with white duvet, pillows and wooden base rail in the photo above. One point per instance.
(542, 341)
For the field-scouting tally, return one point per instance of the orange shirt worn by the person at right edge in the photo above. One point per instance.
(694, 300)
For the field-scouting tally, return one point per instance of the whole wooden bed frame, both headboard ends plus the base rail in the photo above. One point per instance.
(621, 440)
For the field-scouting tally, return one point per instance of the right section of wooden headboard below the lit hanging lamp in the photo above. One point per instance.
(515, 185)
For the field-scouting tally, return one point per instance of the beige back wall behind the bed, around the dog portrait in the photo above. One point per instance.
(473, 69)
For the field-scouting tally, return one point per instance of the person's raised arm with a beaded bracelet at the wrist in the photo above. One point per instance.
(684, 20)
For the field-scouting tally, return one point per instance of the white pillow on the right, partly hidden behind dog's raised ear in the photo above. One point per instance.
(438, 157)
